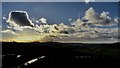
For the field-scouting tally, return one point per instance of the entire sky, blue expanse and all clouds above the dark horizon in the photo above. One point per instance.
(22, 19)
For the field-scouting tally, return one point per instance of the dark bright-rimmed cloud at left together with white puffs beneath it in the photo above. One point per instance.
(19, 20)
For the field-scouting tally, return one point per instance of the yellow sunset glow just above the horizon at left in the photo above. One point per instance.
(30, 38)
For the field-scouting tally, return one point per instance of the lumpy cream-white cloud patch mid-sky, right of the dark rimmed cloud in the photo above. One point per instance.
(54, 28)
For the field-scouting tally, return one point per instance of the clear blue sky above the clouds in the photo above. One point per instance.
(58, 12)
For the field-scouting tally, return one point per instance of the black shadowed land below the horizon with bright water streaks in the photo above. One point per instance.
(58, 55)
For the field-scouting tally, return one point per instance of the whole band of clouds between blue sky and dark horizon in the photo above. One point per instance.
(86, 28)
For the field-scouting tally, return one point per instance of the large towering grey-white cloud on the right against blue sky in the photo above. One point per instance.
(99, 18)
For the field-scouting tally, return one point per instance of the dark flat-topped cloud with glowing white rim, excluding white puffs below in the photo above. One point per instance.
(20, 18)
